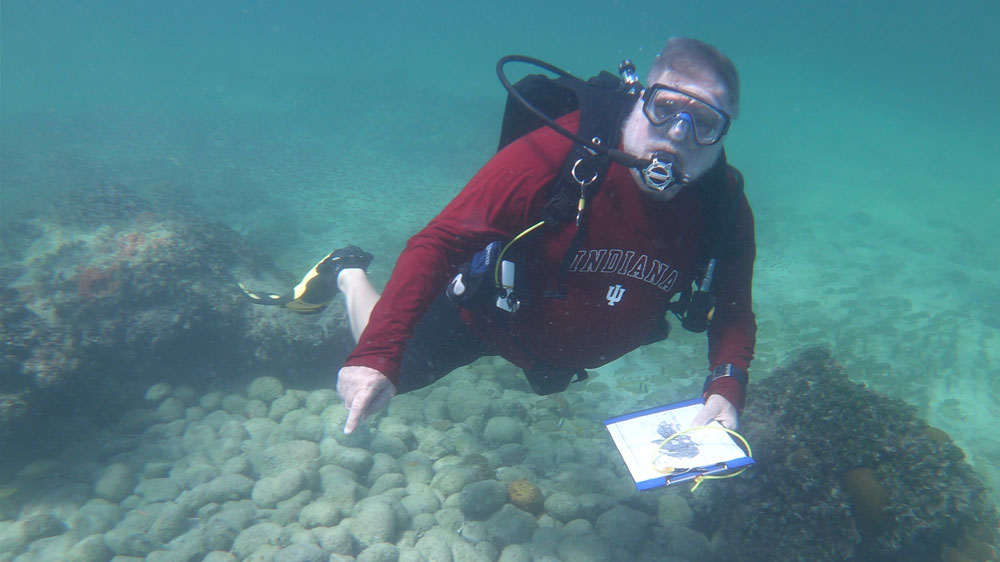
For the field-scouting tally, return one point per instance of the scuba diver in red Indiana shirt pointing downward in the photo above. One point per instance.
(568, 249)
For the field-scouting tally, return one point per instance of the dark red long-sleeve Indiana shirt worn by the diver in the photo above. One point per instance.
(648, 249)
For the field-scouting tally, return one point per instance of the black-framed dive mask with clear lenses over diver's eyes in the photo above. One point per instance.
(664, 105)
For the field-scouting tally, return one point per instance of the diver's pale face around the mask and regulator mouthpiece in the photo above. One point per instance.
(642, 138)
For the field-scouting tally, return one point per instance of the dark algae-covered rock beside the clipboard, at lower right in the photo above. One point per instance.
(842, 473)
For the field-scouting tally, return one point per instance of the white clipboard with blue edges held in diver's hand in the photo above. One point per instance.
(653, 460)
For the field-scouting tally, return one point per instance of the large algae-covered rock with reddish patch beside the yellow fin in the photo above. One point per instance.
(107, 294)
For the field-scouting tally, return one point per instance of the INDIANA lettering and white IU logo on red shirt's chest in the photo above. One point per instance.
(624, 263)
